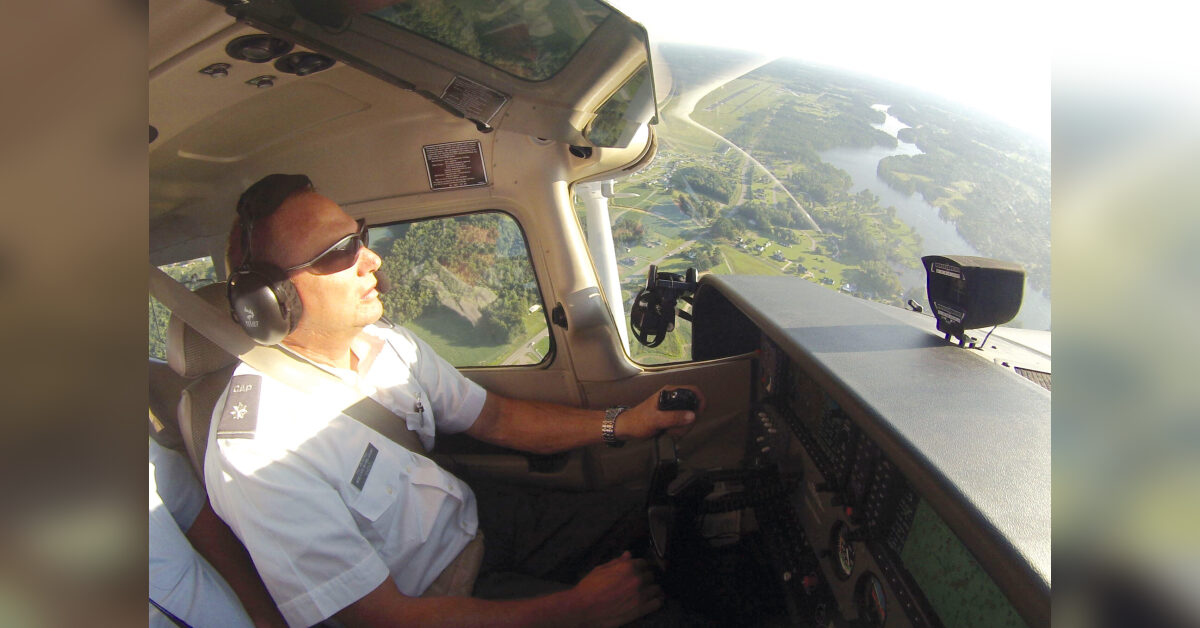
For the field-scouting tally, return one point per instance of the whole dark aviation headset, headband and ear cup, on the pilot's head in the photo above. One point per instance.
(262, 298)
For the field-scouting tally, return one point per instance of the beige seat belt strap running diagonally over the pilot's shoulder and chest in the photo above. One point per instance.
(293, 372)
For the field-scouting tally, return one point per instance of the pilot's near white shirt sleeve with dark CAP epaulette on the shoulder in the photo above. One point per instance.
(298, 530)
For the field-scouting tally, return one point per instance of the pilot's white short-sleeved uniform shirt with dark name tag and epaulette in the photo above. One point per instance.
(329, 507)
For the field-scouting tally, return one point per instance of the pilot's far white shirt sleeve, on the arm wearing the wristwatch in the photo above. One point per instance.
(457, 400)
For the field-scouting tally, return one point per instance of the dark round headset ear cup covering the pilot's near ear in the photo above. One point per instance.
(265, 303)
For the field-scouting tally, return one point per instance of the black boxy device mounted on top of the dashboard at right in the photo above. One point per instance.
(973, 292)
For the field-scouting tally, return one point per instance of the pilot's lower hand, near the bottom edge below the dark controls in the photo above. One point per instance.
(617, 593)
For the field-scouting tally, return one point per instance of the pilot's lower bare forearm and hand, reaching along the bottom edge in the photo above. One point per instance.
(611, 595)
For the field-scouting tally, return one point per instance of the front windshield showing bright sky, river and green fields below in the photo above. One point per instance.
(841, 159)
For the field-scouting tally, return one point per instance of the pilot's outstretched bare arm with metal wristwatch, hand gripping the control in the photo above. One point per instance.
(545, 428)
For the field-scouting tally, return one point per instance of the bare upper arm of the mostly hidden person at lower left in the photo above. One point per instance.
(213, 540)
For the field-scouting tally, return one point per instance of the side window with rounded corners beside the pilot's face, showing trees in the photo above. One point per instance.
(466, 286)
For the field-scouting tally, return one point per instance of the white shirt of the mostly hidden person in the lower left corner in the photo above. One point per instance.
(181, 579)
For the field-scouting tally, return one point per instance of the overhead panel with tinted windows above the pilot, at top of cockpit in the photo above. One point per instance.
(541, 68)
